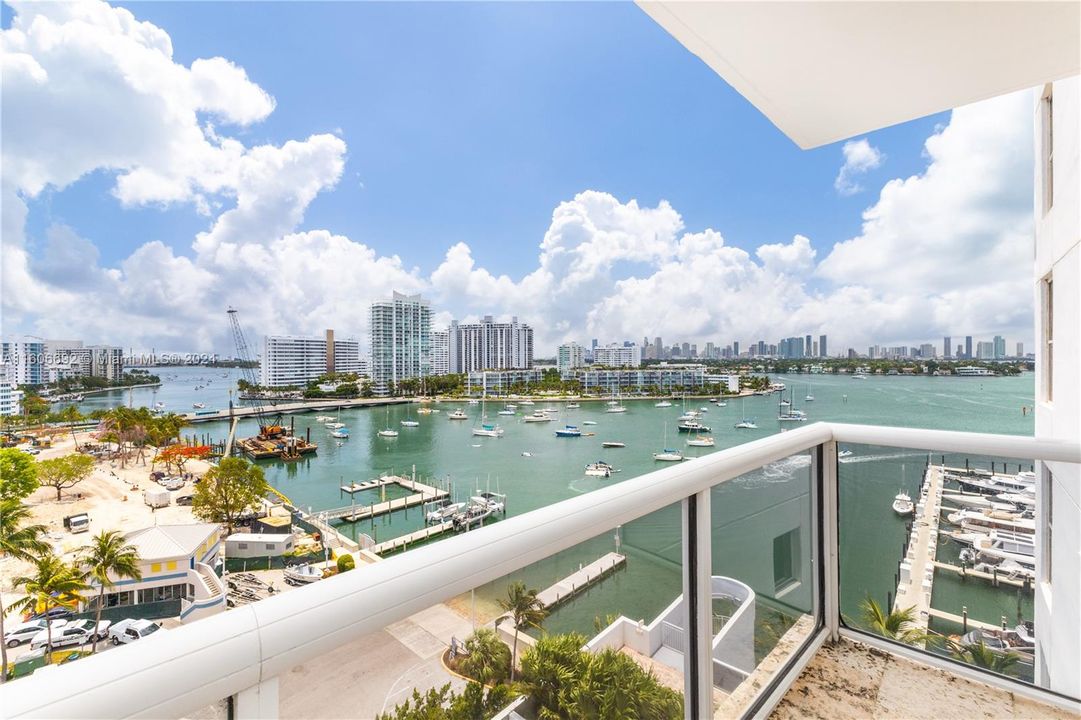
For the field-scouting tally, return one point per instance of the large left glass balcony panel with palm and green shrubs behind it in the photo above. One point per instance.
(598, 638)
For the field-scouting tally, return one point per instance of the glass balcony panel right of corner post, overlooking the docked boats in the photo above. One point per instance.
(941, 552)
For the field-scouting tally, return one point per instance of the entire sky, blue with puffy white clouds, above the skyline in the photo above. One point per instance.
(229, 178)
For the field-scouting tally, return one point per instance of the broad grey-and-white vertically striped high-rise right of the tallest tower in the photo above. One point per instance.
(490, 345)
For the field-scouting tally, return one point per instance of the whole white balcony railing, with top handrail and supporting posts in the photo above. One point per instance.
(242, 654)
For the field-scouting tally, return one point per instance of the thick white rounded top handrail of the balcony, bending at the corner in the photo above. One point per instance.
(179, 672)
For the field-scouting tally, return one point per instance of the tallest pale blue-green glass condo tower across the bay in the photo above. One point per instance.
(402, 341)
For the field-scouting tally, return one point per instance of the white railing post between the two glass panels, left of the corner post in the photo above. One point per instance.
(699, 596)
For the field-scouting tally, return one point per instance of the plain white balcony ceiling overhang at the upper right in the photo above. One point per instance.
(825, 72)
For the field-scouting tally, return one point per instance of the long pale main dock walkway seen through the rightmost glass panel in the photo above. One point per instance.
(917, 571)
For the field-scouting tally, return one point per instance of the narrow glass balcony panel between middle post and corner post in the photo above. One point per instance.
(764, 578)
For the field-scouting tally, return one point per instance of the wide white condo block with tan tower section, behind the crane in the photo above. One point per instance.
(297, 361)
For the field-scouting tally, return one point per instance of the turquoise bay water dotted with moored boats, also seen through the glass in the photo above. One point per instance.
(749, 514)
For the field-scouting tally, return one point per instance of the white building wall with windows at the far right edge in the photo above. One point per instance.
(1058, 290)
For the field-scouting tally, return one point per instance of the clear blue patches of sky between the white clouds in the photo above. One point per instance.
(471, 124)
